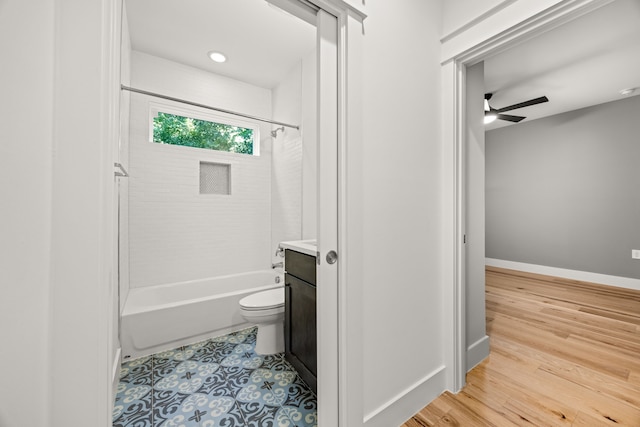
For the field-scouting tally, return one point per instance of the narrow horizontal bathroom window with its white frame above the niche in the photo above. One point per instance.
(198, 130)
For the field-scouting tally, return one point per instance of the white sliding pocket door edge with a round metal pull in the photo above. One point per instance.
(328, 259)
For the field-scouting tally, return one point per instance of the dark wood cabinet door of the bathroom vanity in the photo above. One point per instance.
(301, 320)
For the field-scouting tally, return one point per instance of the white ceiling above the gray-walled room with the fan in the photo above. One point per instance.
(579, 64)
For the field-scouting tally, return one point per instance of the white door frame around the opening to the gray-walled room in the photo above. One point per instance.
(454, 153)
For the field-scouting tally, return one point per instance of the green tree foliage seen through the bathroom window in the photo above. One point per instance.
(189, 132)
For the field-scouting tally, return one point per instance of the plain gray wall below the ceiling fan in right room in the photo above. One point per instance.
(564, 191)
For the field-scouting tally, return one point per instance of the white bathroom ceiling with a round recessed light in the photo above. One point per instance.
(262, 42)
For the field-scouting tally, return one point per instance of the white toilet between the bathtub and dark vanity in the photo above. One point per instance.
(266, 309)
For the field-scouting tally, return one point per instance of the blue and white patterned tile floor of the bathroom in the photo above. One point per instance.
(219, 382)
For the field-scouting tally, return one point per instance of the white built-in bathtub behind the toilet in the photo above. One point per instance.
(163, 317)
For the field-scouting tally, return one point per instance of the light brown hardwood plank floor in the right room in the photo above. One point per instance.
(563, 353)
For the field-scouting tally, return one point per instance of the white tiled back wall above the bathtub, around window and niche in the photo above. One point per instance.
(177, 234)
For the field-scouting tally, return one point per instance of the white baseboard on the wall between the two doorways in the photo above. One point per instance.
(406, 404)
